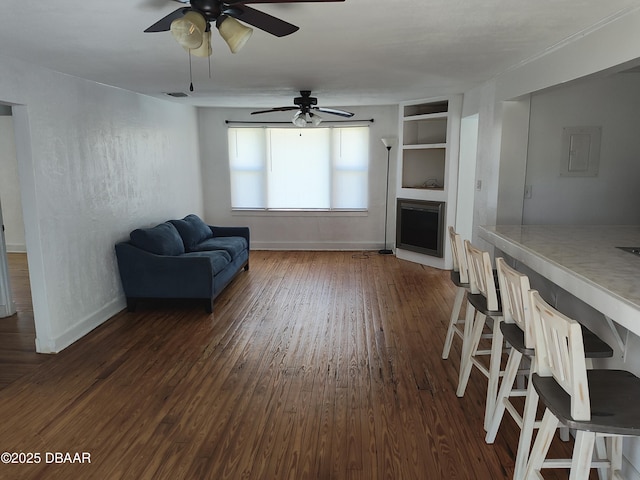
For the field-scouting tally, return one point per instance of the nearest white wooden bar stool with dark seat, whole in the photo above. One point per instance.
(597, 403)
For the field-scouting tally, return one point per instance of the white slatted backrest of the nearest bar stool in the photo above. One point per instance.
(560, 353)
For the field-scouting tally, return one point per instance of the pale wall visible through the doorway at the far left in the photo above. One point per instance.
(10, 188)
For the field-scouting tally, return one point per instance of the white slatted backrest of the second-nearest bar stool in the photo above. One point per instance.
(514, 293)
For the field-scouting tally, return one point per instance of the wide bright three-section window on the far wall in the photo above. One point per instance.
(299, 168)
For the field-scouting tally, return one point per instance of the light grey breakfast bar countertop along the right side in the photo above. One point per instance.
(582, 259)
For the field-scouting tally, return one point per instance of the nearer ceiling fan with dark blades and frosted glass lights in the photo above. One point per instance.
(191, 25)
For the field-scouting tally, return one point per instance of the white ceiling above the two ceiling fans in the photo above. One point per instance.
(357, 52)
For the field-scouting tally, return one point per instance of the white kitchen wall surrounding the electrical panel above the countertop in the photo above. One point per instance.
(610, 198)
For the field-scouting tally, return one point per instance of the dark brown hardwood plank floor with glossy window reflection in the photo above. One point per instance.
(314, 365)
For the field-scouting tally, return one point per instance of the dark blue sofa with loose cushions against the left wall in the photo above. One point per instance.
(181, 259)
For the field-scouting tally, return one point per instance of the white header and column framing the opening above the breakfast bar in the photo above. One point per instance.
(609, 48)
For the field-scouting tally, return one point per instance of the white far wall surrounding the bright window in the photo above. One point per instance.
(282, 230)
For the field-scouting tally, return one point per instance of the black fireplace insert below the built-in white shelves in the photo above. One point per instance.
(420, 226)
